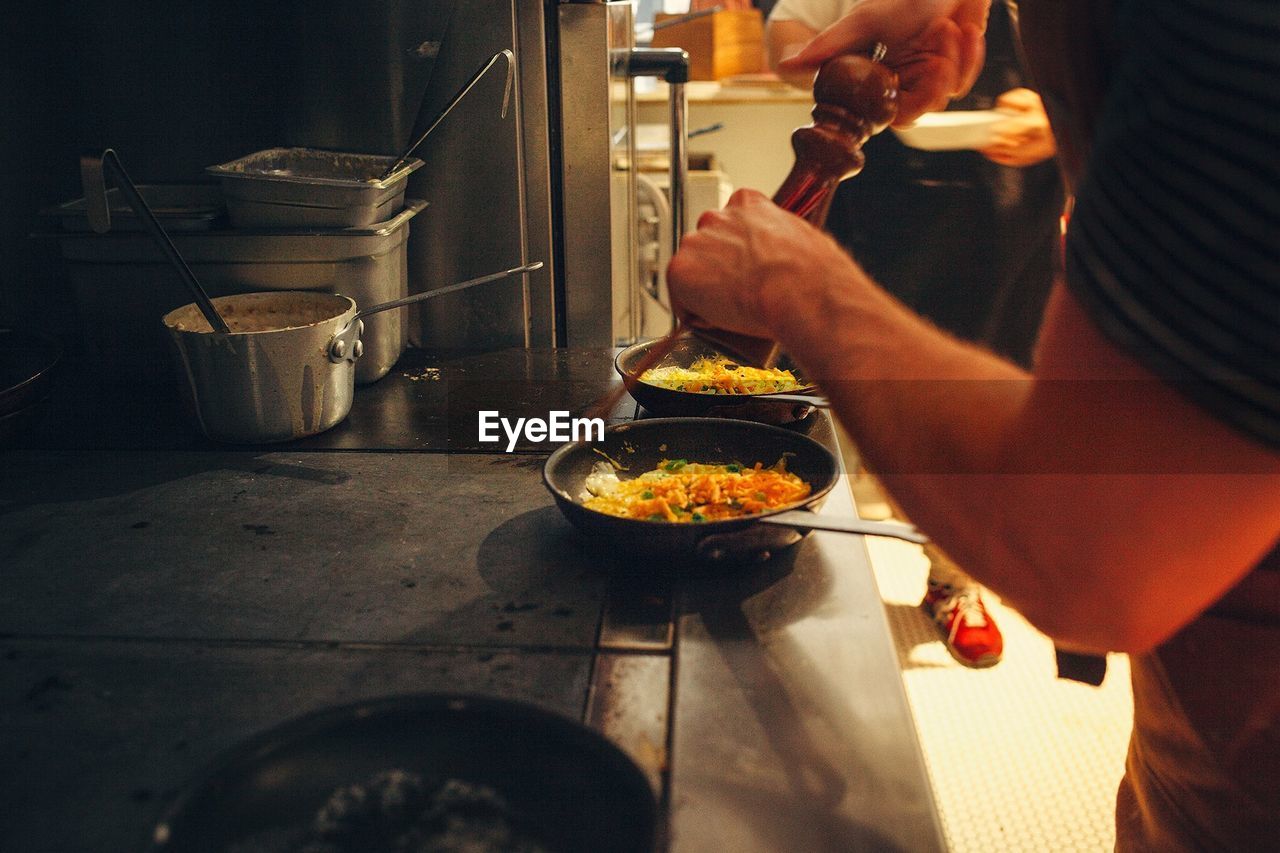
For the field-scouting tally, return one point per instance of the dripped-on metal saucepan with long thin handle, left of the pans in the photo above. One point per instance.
(287, 368)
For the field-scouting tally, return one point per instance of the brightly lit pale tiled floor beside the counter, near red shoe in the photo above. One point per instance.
(1020, 760)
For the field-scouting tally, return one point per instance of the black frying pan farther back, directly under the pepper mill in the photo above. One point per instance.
(766, 409)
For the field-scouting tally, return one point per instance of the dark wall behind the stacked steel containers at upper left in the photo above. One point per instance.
(179, 86)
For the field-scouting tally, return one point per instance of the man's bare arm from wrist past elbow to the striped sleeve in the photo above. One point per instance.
(1062, 492)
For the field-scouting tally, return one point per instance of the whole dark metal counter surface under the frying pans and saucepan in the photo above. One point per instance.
(159, 604)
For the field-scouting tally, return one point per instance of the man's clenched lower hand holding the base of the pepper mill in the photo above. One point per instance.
(746, 263)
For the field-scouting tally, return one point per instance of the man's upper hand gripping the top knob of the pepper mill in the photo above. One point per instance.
(935, 47)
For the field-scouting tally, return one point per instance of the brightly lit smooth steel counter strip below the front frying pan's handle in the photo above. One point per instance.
(793, 731)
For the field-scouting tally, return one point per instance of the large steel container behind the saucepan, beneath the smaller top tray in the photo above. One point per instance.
(124, 286)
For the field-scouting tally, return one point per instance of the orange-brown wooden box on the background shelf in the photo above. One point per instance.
(720, 45)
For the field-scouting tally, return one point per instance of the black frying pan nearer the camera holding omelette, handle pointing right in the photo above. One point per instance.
(641, 446)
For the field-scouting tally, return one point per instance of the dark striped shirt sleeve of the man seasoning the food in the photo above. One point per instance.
(1174, 247)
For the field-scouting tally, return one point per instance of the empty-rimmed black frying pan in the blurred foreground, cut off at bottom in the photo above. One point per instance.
(568, 787)
